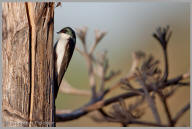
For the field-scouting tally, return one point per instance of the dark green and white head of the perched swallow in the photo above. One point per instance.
(67, 33)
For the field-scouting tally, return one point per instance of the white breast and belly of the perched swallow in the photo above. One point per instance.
(60, 50)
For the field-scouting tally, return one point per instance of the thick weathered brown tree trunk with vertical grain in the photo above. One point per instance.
(27, 51)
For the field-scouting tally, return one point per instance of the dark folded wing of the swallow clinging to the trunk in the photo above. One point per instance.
(66, 59)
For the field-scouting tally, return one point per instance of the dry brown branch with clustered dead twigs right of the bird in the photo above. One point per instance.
(144, 70)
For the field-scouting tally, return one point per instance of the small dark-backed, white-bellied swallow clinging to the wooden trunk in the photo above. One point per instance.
(63, 51)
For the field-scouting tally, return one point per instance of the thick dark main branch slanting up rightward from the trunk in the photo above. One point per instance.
(99, 103)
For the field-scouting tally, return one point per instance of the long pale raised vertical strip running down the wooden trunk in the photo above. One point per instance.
(32, 41)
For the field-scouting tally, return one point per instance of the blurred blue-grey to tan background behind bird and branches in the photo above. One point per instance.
(129, 27)
